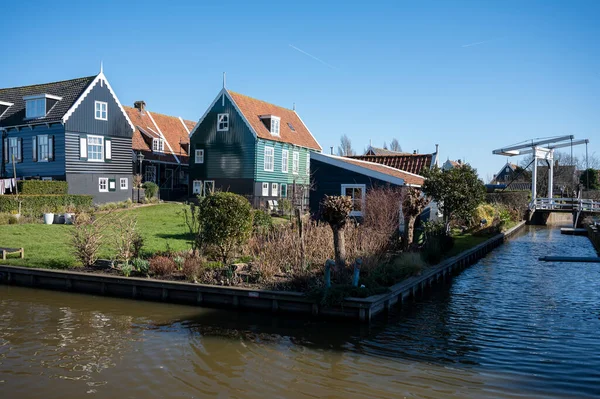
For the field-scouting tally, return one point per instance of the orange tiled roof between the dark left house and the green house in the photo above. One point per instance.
(170, 126)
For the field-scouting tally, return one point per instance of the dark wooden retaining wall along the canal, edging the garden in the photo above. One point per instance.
(363, 309)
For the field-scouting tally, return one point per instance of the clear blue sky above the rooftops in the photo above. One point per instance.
(468, 75)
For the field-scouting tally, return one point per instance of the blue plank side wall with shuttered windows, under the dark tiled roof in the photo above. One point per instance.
(29, 168)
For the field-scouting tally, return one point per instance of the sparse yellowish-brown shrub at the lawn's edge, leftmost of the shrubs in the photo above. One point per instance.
(87, 236)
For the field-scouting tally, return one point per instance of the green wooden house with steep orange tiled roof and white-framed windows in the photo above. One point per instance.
(253, 148)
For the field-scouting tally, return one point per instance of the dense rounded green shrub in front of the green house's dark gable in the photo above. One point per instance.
(225, 221)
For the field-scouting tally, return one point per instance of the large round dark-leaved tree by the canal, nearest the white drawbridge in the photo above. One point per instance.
(457, 191)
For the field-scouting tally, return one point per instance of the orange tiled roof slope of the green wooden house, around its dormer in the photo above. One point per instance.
(252, 109)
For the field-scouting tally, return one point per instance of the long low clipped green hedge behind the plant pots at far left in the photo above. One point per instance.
(35, 205)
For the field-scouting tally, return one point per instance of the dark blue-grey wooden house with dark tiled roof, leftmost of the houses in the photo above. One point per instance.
(74, 130)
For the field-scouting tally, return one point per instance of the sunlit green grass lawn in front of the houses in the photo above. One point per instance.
(48, 245)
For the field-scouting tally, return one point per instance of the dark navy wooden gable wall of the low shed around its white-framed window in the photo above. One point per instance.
(327, 179)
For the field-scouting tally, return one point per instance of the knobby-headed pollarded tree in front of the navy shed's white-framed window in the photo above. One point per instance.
(335, 210)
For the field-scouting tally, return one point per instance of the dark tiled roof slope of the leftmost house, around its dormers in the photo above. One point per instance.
(69, 90)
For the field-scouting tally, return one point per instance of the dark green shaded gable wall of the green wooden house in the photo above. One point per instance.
(228, 156)
